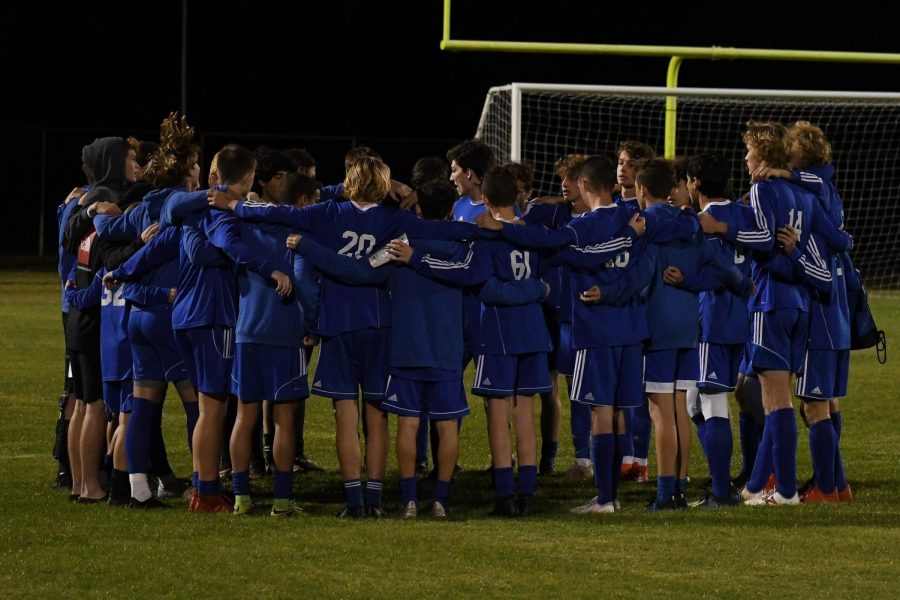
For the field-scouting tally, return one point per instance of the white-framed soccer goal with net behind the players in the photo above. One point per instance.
(539, 123)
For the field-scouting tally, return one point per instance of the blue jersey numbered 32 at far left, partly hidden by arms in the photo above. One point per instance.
(115, 350)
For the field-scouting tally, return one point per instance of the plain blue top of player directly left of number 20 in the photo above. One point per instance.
(264, 317)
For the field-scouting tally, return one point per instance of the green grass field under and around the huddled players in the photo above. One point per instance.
(49, 547)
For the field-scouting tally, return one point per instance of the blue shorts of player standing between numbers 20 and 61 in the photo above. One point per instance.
(440, 400)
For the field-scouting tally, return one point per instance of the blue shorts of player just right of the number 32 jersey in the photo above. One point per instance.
(153, 348)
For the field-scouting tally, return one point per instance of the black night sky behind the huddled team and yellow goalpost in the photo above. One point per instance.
(329, 75)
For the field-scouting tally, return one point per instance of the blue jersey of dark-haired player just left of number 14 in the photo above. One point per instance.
(724, 317)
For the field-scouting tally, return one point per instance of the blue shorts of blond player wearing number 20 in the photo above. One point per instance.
(350, 361)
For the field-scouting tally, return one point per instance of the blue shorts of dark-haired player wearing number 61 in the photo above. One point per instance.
(501, 376)
